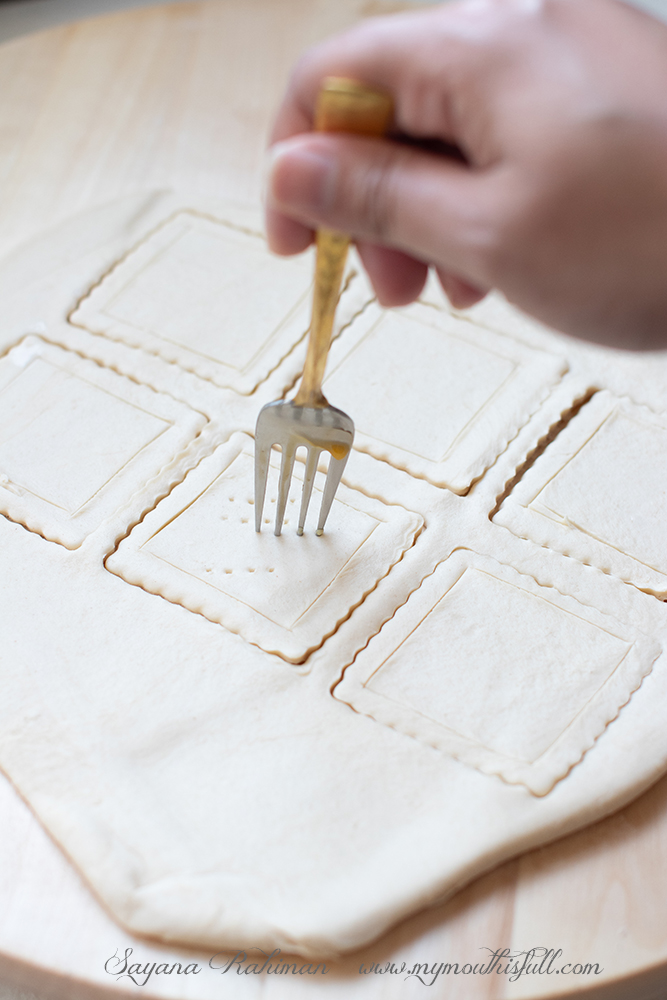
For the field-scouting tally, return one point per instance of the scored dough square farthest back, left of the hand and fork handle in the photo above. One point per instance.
(184, 294)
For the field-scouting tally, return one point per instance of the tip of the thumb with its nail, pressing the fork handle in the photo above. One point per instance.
(299, 178)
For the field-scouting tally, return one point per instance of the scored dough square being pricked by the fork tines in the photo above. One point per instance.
(286, 594)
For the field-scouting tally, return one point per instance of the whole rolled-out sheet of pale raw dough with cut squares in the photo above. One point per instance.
(173, 724)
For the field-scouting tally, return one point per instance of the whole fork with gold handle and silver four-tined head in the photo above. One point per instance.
(309, 420)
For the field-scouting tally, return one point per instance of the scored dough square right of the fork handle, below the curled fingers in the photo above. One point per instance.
(436, 395)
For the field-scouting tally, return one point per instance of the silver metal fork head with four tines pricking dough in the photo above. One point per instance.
(290, 427)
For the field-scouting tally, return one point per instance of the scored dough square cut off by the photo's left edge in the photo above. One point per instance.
(77, 440)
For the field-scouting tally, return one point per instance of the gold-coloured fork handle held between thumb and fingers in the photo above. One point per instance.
(342, 106)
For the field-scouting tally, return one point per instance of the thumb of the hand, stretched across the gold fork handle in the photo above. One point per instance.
(428, 206)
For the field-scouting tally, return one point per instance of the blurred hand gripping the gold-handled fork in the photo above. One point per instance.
(559, 195)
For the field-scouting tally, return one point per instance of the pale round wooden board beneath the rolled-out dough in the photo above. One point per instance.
(180, 97)
